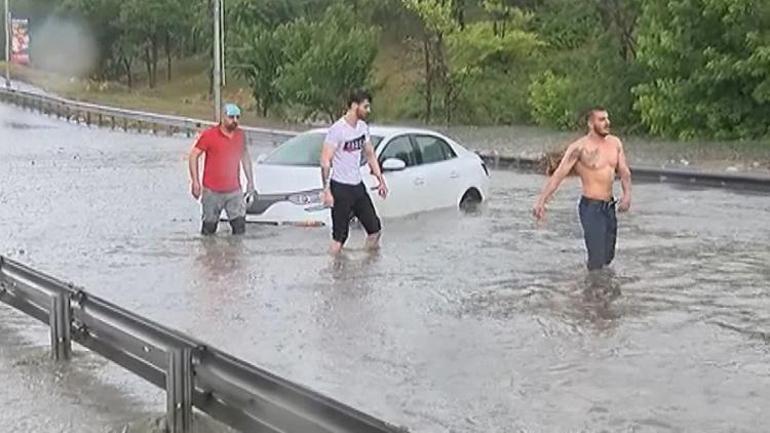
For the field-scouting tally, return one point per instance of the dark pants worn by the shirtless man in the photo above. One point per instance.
(600, 229)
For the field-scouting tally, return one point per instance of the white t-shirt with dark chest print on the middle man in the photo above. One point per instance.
(348, 143)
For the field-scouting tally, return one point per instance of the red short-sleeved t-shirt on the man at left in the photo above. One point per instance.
(221, 171)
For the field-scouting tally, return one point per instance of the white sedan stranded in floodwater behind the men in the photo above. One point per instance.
(424, 170)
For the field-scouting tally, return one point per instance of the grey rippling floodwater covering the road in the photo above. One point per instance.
(462, 323)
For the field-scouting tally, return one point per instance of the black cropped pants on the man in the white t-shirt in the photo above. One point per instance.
(350, 201)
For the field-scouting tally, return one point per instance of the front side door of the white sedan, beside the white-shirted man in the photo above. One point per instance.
(404, 185)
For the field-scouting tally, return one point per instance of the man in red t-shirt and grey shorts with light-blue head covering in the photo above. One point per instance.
(226, 152)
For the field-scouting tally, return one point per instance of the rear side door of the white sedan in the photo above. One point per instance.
(438, 165)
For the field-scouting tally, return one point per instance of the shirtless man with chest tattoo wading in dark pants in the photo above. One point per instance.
(596, 158)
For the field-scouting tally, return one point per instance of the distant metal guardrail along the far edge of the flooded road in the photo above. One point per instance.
(137, 120)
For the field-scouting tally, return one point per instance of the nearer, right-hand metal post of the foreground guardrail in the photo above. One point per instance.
(179, 387)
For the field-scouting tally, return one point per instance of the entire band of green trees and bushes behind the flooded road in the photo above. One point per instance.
(675, 68)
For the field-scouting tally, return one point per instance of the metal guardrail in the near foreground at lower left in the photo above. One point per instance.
(236, 393)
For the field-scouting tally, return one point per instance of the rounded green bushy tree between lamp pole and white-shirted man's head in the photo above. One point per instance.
(307, 65)
